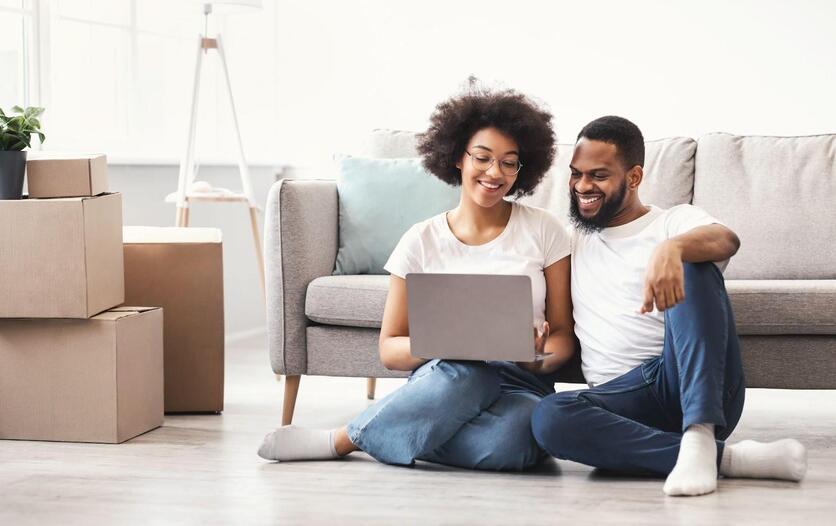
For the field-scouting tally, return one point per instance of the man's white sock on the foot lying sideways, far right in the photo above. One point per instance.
(785, 459)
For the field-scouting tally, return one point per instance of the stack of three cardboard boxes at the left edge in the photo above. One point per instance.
(72, 366)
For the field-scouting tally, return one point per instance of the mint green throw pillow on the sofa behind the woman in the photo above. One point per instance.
(379, 200)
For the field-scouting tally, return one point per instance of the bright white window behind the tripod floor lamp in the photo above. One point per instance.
(116, 76)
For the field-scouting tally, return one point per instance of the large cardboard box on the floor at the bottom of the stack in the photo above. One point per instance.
(94, 380)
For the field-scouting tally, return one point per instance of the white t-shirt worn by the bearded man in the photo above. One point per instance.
(608, 271)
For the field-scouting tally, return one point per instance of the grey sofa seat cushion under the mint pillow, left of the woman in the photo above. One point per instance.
(351, 301)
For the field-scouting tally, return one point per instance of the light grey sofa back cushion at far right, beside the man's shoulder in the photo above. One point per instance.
(778, 194)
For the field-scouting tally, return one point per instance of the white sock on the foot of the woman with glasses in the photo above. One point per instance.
(298, 443)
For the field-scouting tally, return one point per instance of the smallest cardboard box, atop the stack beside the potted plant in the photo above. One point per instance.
(63, 175)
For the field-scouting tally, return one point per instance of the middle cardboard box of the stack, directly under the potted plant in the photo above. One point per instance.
(61, 258)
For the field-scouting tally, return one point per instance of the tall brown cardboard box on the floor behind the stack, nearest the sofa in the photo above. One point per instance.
(181, 270)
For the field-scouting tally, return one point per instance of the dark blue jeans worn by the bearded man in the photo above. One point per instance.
(634, 423)
